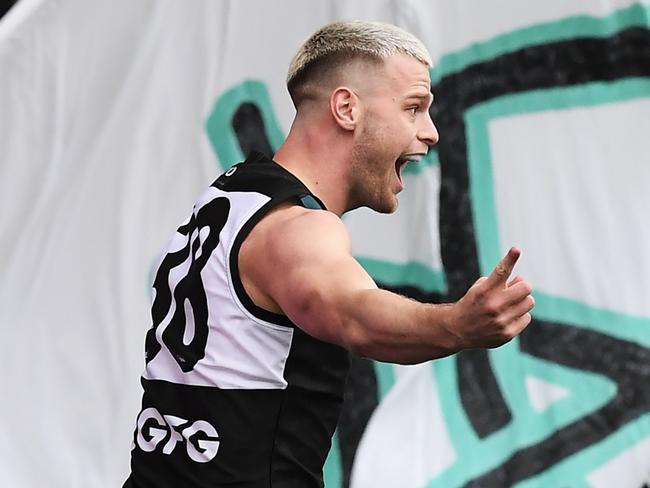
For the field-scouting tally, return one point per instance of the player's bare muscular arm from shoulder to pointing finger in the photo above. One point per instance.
(308, 272)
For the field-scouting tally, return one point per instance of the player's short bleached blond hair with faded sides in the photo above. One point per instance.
(339, 42)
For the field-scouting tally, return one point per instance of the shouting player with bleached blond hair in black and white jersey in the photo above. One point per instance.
(258, 301)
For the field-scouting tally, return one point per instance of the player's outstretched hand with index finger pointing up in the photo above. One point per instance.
(493, 310)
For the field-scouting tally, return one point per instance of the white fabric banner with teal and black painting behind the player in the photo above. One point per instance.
(114, 115)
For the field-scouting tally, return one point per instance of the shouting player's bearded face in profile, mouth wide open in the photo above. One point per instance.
(394, 128)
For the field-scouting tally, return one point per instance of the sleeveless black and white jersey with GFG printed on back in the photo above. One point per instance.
(234, 395)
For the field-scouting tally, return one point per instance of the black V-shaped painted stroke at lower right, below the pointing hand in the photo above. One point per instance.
(625, 363)
